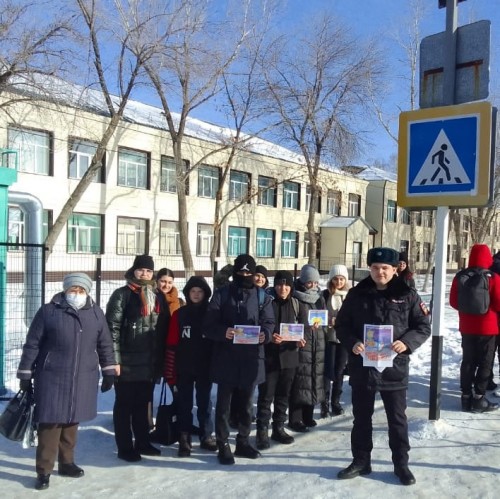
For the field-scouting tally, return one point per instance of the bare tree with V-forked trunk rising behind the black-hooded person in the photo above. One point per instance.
(186, 73)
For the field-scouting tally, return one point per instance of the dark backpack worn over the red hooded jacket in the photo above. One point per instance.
(473, 287)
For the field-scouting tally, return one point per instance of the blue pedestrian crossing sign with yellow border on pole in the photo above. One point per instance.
(445, 156)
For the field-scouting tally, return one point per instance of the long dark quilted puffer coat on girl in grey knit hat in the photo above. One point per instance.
(308, 385)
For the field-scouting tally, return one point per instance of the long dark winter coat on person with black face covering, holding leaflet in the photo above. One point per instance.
(237, 365)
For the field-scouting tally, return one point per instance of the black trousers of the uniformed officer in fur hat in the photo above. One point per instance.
(363, 403)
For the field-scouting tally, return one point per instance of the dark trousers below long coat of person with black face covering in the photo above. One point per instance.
(222, 409)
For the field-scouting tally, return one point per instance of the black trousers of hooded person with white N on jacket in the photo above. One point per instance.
(186, 385)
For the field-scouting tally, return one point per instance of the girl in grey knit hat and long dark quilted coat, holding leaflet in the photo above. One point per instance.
(308, 386)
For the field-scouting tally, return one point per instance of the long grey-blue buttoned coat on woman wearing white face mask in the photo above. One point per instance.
(63, 350)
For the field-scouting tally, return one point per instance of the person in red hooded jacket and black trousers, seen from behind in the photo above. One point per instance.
(478, 337)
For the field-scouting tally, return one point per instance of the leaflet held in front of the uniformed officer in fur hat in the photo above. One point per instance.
(378, 352)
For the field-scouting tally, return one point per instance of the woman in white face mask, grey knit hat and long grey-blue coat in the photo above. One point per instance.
(66, 342)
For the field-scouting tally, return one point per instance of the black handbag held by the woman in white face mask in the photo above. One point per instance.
(17, 416)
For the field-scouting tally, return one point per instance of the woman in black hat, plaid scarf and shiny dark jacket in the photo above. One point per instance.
(132, 314)
